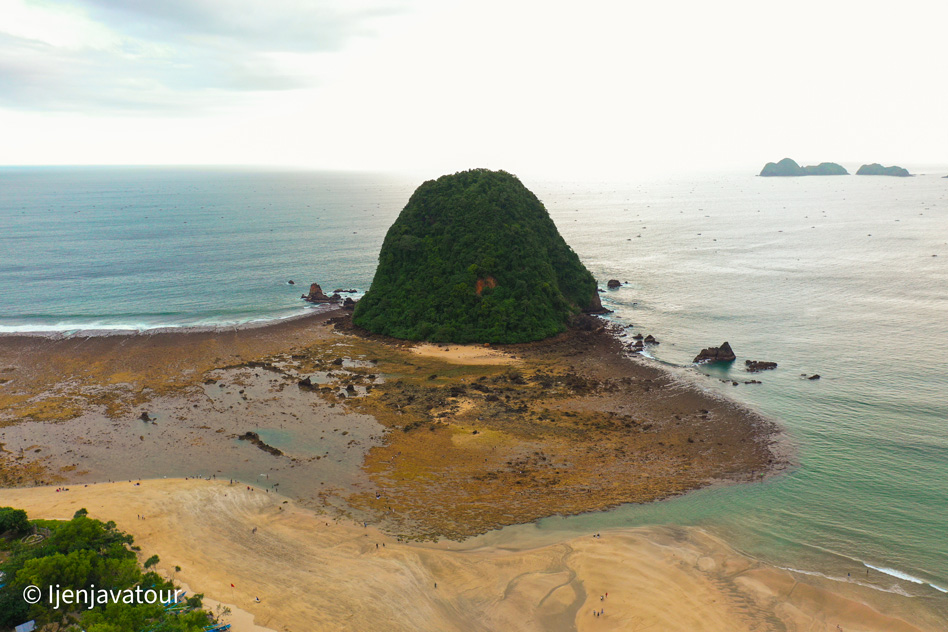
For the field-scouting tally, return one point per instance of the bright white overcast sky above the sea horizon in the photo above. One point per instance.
(534, 87)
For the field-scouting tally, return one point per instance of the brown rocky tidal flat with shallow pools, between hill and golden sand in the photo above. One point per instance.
(438, 442)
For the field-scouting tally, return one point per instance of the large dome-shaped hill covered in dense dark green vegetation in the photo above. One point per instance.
(475, 257)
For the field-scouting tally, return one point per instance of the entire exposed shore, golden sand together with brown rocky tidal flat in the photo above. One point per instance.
(307, 429)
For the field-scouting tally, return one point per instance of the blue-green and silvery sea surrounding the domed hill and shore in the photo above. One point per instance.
(845, 277)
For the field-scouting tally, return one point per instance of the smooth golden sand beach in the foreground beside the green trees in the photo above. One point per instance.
(312, 572)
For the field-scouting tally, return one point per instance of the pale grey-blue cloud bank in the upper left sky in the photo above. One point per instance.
(173, 57)
